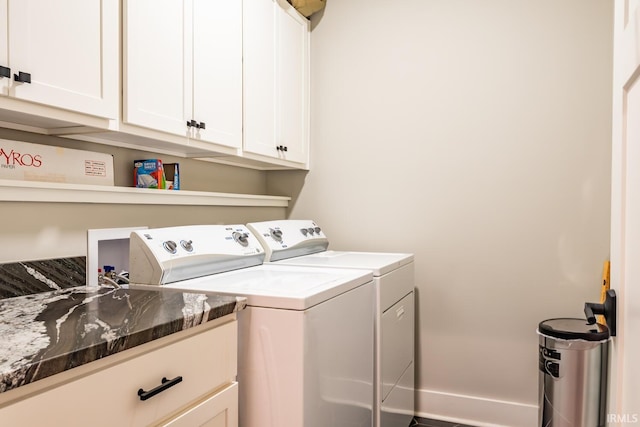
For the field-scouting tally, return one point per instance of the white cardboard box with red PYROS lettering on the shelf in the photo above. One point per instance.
(34, 162)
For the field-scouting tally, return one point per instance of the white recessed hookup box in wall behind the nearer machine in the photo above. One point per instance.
(108, 246)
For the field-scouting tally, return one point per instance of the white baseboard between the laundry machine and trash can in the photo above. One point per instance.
(475, 411)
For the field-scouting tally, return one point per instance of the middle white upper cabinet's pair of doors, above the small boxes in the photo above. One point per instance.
(182, 68)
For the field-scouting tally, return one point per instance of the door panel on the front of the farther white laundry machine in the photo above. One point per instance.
(397, 328)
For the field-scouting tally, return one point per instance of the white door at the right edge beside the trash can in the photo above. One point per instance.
(624, 407)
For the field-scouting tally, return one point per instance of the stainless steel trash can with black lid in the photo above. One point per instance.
(573, 365)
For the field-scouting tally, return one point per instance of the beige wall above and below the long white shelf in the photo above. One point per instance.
(49, 230)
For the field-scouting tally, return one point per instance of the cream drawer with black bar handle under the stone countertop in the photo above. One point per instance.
(206, 362)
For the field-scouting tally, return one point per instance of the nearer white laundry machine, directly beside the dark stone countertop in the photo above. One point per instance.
(305, 352)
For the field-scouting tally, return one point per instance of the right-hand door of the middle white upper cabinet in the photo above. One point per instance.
(217, 71)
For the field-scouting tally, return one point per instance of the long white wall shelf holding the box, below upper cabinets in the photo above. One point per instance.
(23, 191)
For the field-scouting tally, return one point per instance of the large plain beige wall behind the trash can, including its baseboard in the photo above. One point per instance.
(475, 134)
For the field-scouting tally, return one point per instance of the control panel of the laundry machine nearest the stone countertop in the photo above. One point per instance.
(166, 255)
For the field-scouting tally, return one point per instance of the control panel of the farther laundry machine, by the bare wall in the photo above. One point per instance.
(283, 239)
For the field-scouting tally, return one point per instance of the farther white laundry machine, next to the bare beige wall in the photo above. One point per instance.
(303, 243)
